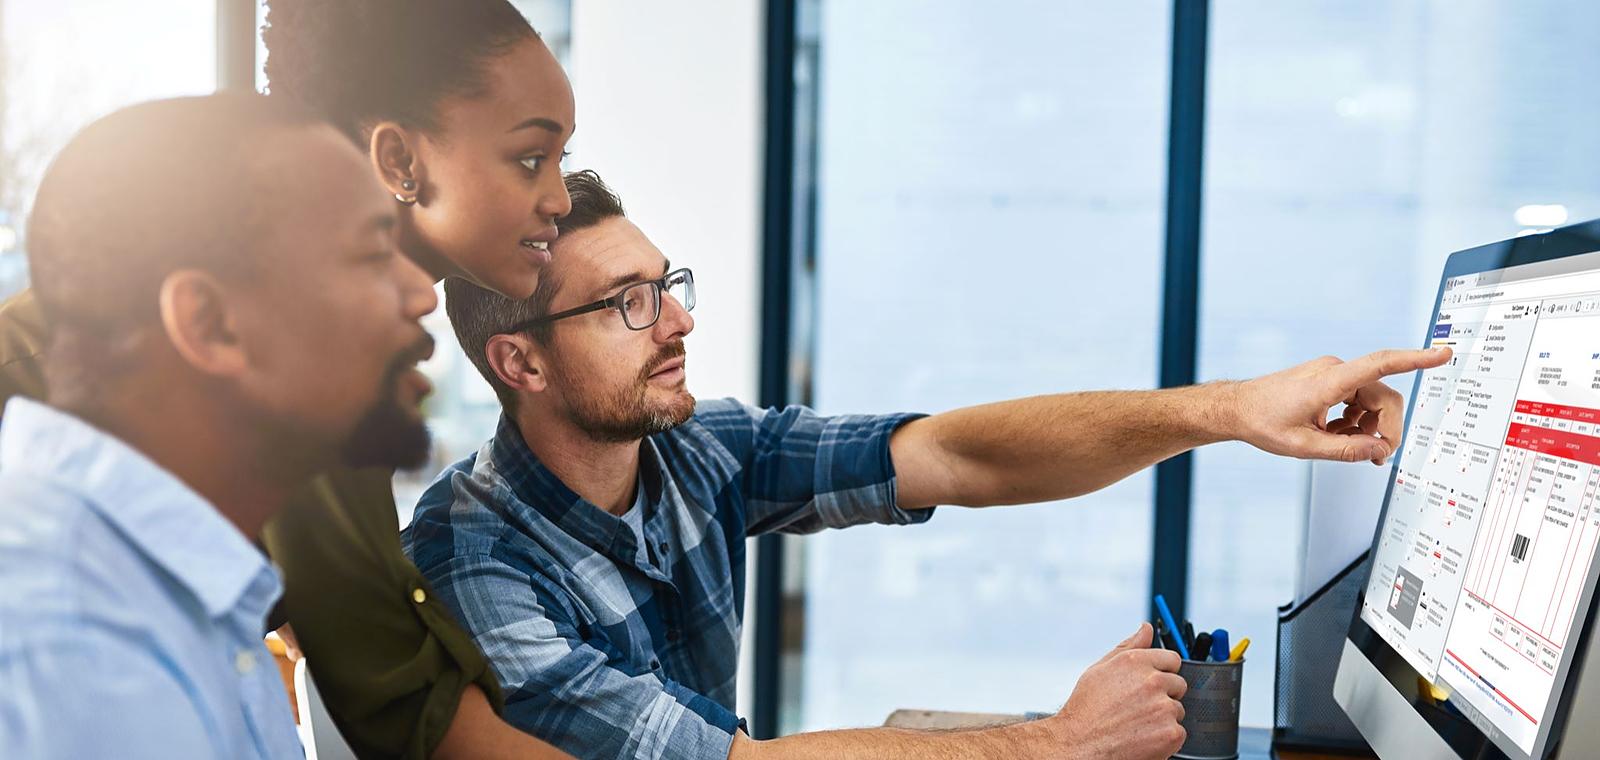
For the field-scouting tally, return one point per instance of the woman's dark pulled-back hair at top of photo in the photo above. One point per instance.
(366, 62)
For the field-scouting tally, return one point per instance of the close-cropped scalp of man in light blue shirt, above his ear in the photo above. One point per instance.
(151, 190)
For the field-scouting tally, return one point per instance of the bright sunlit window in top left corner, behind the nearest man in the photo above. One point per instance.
(66, 65)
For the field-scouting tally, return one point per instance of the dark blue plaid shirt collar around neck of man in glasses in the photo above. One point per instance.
(538, 489)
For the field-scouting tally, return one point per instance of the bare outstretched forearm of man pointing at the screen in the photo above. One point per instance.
(1054, 447)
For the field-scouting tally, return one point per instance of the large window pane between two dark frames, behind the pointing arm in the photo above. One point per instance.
(990, 196)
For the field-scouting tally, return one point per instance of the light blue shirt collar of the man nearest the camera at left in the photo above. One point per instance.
(161, 516)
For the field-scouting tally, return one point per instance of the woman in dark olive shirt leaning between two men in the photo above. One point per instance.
(465, 116)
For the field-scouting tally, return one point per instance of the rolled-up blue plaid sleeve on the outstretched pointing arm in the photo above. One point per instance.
(804, 473)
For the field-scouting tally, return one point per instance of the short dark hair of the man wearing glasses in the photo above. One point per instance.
(479, 314)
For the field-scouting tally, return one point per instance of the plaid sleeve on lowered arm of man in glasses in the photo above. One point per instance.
(569, 690)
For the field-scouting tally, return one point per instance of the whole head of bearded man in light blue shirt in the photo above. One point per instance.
(233, 258)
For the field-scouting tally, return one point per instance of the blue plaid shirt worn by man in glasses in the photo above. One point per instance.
(606, 655)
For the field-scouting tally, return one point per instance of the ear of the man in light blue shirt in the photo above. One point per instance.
(199, 326)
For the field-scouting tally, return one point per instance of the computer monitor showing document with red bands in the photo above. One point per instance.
(1474, 625)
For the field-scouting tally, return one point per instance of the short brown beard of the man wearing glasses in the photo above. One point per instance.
(626, 414)
